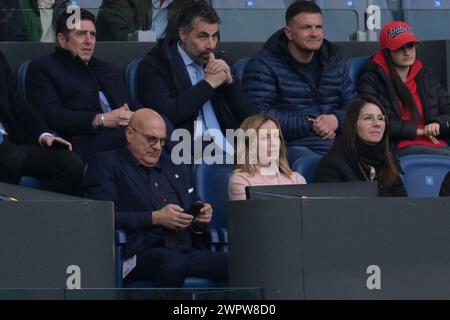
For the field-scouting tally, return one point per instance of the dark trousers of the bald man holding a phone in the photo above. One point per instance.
(168, 268)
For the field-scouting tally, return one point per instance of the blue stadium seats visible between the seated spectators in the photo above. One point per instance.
(211, 181)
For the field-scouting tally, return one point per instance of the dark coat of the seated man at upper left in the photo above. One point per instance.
(65, 91)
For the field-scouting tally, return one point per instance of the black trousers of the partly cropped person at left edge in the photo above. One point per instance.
(59, 170)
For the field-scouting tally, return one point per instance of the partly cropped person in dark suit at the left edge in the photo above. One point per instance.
(20, 154)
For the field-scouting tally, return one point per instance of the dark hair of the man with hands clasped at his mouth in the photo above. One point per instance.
(200, 10)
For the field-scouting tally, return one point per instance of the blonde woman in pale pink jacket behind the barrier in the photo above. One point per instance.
(260, 157)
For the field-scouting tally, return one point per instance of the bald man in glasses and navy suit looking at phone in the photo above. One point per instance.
(151, 196)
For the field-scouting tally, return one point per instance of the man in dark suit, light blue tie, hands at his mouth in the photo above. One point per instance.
(183, 80)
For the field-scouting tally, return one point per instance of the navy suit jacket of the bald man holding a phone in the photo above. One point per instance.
(115, 176)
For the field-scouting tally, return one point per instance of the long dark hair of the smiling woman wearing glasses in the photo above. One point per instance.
(349, 134)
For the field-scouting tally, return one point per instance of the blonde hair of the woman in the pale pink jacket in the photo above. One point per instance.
(243, 161)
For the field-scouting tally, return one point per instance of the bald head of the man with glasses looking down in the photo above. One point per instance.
(145, 134)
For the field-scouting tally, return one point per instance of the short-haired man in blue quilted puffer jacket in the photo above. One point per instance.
(300, 79)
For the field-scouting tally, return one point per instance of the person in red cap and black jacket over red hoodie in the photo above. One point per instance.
(417, 105)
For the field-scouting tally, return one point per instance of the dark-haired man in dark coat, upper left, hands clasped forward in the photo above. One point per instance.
(80, 97)
